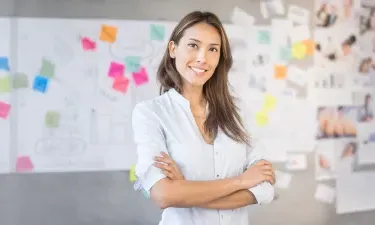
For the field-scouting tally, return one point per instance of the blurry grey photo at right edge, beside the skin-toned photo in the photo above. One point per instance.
(365, 103)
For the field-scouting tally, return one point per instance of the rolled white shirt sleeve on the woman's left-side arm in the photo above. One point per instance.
(150, 141)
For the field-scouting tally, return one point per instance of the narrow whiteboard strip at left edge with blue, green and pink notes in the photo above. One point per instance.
(5, 95)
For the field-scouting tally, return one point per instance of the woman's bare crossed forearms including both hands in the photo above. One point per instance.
(232, 193)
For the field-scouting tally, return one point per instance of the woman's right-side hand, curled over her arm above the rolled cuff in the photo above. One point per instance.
(257, 173)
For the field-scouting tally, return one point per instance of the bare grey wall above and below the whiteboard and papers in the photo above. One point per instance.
(107, 197)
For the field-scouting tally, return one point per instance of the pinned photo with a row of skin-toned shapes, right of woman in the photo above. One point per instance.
(336, 122)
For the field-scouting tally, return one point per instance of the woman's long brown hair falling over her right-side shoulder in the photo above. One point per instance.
(222, 109)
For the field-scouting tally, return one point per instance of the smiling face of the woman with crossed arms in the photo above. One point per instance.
(197, 54)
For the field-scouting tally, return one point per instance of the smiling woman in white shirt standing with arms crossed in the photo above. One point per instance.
(194, 155)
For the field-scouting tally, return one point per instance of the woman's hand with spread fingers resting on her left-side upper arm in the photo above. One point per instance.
(168, 166)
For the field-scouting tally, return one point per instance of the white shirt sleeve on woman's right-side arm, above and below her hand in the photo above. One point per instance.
(263, 192)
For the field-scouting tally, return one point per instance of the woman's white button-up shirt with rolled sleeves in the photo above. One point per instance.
(166, 123)
